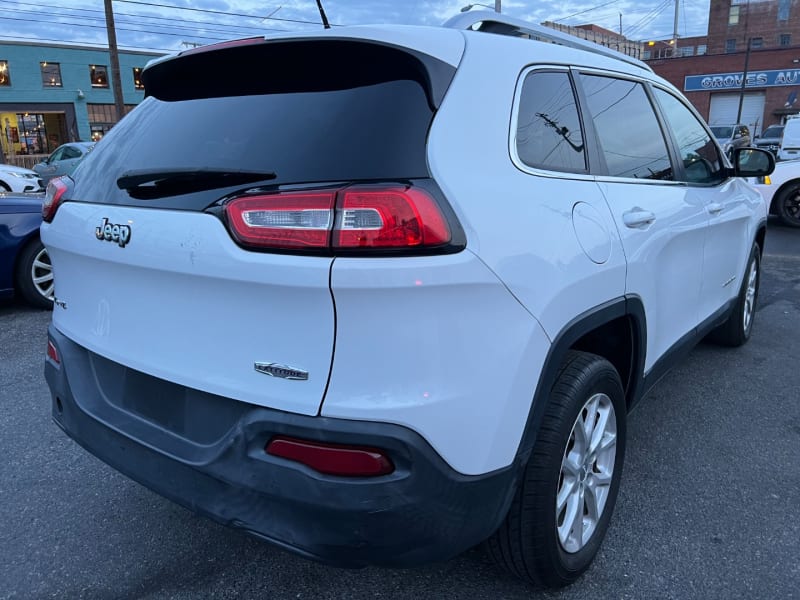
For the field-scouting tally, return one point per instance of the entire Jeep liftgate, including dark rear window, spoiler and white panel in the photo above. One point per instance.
(148, 273)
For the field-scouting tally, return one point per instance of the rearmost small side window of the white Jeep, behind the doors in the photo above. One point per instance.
(548, 128)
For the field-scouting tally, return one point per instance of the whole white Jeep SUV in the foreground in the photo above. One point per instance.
(373, 325)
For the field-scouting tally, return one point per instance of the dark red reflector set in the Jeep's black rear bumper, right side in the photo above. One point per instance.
(332, 459)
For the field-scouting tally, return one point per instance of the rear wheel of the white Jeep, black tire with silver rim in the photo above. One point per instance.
(535, 542)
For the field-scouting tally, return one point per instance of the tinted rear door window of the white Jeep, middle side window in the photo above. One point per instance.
(630, 137)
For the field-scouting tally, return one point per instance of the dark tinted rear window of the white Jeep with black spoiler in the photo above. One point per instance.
(325, 119)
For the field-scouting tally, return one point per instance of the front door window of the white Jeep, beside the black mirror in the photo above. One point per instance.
(701, 160)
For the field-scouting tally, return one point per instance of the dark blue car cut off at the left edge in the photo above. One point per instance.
(25, 267)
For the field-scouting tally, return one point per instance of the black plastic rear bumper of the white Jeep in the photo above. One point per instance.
(206, 453)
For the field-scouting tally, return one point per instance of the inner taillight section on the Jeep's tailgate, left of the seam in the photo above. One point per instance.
(292, 220)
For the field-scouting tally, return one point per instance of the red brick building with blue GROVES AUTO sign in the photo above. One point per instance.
(712, 80)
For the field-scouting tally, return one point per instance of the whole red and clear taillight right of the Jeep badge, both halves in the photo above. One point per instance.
(351, 218)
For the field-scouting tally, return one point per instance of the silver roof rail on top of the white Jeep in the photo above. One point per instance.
(493, 22)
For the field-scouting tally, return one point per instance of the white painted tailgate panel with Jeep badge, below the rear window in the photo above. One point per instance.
(181, 301)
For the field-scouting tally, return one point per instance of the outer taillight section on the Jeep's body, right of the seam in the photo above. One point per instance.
(389, 218)
